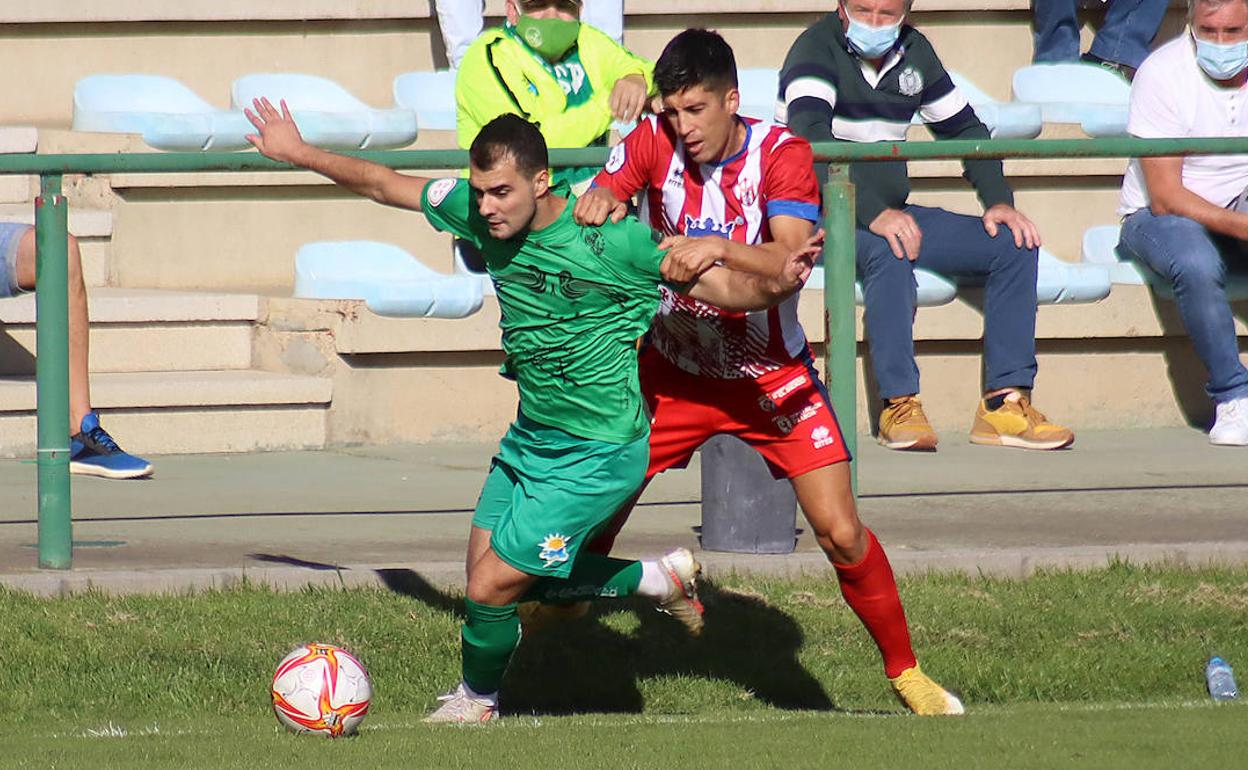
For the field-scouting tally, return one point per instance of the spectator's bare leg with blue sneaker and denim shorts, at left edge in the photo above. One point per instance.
(93, 452)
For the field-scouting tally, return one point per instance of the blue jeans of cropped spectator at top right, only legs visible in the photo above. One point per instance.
(1130, 27)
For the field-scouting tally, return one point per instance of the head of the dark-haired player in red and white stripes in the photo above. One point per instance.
(697, 79)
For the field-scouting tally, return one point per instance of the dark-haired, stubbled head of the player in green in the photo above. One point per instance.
(509, 172)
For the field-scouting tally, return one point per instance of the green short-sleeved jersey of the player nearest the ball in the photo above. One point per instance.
(575, 300)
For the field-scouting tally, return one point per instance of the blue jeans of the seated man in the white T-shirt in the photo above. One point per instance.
(1194, 261)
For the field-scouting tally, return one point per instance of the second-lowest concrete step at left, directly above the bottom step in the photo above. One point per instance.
(144, 331)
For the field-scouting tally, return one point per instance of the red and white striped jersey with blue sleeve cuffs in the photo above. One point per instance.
(773, 175)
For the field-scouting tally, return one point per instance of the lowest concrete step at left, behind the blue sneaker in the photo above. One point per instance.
(187, 412)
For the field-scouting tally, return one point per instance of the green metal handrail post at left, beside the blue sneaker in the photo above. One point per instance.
(53, 375)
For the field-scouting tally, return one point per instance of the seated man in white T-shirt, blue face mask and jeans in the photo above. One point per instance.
(1186, 218)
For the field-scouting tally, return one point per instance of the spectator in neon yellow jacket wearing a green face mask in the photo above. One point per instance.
(546, 67)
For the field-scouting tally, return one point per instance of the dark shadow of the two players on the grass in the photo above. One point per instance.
(588, 667)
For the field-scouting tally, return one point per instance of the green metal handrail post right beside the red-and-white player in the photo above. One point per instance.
(841, 338)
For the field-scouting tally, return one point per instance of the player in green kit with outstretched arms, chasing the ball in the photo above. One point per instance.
(575, 301)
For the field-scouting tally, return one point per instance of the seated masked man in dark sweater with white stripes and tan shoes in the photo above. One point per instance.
(860, 76)
